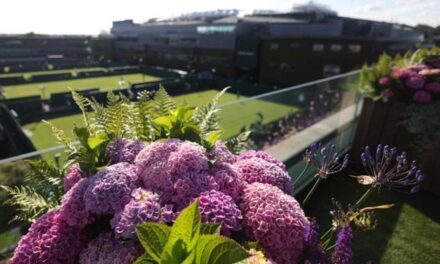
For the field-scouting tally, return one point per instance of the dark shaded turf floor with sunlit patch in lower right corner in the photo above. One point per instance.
(408, 233)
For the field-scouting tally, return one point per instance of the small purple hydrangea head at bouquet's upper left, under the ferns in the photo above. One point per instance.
(124, 150)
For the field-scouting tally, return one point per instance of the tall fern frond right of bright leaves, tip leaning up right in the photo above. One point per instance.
(207, 116)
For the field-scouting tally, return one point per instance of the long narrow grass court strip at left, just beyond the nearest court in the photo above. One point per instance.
(104, 83)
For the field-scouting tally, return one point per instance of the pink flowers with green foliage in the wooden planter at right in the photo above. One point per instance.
(413, 78)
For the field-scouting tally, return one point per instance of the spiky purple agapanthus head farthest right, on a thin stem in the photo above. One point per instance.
(388, 169)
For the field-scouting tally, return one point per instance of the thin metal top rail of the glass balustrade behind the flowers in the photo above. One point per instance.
(241, 101)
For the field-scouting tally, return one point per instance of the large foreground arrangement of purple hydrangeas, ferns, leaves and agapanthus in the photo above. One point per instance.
(153, 183)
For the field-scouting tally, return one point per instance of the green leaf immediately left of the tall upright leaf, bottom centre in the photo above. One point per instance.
(153, 237)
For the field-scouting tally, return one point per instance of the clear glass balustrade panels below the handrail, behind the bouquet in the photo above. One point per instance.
(284, 122)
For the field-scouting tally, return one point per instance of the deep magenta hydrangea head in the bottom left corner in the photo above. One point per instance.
(49, 240)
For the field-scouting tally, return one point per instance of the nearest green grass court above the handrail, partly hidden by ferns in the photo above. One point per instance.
(233, 117)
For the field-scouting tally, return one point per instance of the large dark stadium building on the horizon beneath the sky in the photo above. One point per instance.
(306, 43)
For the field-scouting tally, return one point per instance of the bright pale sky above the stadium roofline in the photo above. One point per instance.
(92, 17)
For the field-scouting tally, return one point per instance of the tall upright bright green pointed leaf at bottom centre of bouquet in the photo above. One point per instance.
(184, 234)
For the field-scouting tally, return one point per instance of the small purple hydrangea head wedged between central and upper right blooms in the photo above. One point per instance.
(227, 180)
